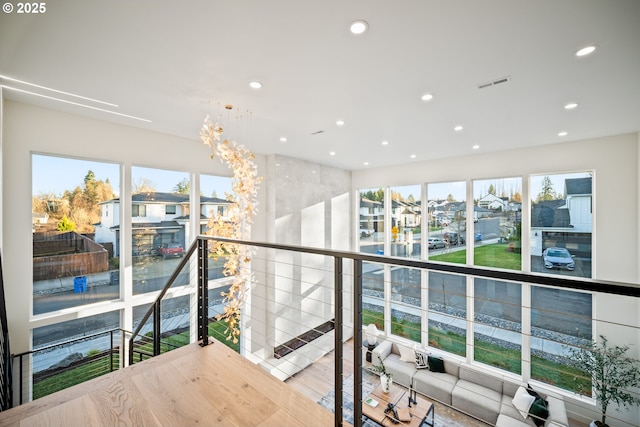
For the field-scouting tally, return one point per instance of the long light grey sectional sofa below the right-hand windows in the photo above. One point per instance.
(468, 389)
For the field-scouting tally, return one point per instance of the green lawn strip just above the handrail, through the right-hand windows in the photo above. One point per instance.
(497, 255)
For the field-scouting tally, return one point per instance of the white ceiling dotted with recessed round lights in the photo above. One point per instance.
(174, 62)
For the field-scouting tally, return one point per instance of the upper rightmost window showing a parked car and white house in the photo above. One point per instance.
(561, 224)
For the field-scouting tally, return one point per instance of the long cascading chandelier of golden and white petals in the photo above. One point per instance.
(245, 184)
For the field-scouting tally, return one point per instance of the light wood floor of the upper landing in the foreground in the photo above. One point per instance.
(210, 386)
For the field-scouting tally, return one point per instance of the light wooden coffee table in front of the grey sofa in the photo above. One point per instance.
(421, 413)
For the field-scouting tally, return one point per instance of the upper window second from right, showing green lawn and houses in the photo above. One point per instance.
(497, 230)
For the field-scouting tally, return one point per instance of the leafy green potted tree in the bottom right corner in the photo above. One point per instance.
(612, 375)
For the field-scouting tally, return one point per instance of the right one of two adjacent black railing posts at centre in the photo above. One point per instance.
(357, 342)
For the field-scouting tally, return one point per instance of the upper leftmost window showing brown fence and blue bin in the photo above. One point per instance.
(74, 261)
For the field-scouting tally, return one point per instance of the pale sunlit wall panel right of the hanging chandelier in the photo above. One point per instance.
(308, 205)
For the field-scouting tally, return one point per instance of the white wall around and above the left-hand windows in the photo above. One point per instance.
(28, 129)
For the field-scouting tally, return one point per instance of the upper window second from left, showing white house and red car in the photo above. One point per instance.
(158, 241)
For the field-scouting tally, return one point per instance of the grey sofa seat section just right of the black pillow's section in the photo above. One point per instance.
(476, 400)
